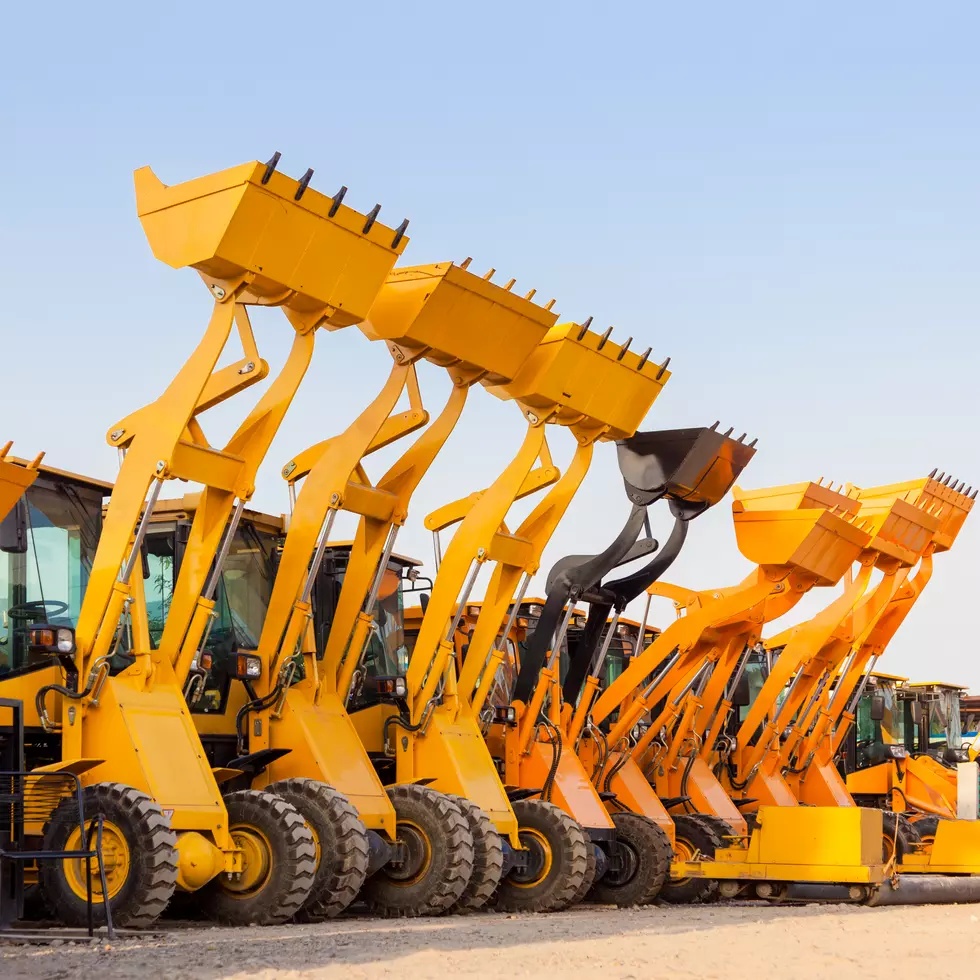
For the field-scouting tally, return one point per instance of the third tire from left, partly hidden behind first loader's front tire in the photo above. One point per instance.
(341, 844)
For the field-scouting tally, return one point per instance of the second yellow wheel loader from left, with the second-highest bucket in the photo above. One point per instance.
(328, 609)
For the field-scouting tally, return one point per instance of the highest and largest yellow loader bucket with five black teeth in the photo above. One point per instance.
(254, 224)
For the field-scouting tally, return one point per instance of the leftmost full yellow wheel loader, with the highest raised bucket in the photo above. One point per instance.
(109, 702)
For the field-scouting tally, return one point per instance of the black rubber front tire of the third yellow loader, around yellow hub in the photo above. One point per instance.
(569, 847)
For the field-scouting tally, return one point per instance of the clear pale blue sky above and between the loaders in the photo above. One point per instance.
(783, 197)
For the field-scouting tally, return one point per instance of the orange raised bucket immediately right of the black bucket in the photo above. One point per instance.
(805, 526)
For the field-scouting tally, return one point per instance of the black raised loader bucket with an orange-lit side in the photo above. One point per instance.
(697, 466)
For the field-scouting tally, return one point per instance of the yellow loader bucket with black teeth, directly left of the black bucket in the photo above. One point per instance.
(577, 376)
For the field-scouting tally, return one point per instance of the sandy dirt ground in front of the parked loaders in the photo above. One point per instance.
(753, 942)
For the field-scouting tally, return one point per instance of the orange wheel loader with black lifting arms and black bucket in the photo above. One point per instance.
(538, 751)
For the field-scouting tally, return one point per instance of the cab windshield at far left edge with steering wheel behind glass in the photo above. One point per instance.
(47, 583)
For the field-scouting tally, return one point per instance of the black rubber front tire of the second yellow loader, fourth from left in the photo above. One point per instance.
(445, 834)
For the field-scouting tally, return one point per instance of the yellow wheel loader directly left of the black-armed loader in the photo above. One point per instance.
(600, 390)
